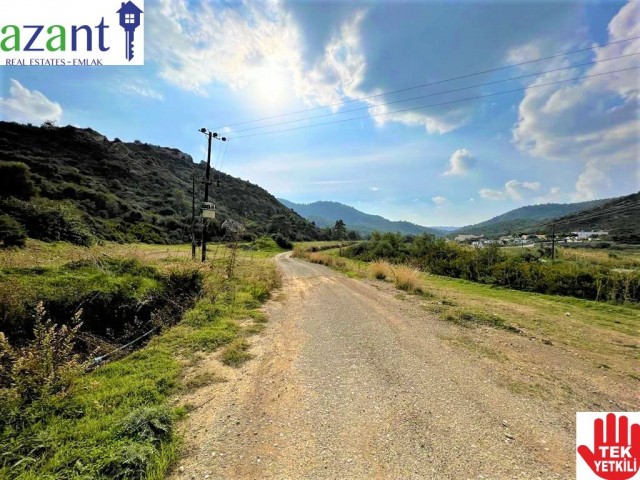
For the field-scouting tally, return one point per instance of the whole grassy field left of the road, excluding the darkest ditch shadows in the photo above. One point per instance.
(118, 420)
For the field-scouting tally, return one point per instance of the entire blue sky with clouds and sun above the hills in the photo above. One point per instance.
(212, 64)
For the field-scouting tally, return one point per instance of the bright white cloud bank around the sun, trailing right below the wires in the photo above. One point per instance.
(245, 46)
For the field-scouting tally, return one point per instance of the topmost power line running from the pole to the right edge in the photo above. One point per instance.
(434, 83)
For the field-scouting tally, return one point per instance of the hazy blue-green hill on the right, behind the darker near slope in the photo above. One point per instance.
(525, 219)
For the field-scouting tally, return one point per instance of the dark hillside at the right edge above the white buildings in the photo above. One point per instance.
(619, 216)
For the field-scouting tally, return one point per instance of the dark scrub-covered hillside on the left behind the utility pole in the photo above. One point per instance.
(80, 186)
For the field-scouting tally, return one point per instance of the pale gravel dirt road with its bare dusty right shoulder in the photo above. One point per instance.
(350, 380)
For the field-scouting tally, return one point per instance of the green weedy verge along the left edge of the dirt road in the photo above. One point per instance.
(118, 422)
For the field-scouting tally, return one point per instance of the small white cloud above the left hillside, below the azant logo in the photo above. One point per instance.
(24, 105)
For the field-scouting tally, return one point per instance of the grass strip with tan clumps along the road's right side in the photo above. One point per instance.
(602, 333)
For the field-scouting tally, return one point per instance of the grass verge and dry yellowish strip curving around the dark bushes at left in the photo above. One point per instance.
(118, 421)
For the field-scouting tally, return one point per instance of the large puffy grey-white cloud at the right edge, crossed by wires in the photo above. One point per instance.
(594, 119)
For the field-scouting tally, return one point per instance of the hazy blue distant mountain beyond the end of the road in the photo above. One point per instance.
(325, 214)
